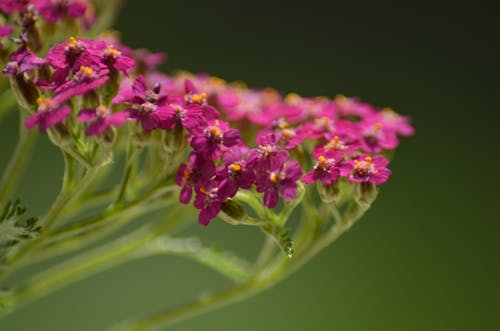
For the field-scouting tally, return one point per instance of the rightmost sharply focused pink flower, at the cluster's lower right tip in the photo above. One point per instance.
(365, 169)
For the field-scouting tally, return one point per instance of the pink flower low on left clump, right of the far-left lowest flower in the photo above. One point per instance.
(101, 118)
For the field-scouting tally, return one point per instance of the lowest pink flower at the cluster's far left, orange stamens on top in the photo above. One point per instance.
(49, 114)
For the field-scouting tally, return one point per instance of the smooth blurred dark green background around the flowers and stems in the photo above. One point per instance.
(426, 257)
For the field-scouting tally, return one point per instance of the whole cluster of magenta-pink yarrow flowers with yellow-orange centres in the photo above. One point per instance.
(239, 138)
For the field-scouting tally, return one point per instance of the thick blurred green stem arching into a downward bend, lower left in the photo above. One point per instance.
(142, 243)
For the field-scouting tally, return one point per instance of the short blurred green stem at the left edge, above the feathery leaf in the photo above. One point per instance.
(17, 163)
